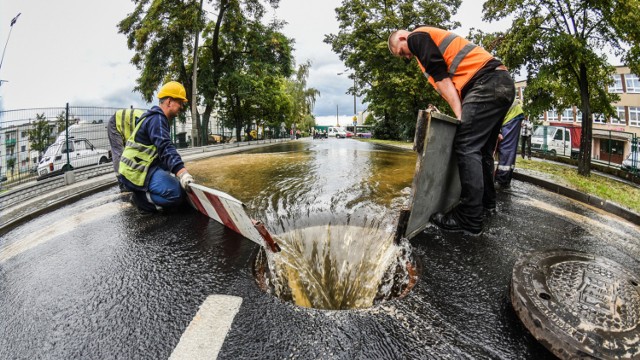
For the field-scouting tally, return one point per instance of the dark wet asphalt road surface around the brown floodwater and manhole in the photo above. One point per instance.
(98, 280)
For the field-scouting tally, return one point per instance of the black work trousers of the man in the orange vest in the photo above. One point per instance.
(483, 110)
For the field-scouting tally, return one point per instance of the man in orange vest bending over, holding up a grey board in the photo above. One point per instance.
(479, 90)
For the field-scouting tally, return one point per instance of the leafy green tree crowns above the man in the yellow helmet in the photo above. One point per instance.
(235, 46)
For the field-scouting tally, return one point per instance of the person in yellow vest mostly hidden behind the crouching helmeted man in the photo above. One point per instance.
(119, 128)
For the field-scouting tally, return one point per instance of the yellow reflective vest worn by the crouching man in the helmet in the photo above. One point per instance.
(136, 159)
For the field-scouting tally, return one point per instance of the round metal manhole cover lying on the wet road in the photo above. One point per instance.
(578, 305)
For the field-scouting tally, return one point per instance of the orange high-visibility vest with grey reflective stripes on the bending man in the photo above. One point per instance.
(463, 58)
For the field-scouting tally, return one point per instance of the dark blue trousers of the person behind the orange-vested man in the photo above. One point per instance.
(507, 150)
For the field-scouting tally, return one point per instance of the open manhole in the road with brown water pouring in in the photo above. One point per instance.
(337, 267)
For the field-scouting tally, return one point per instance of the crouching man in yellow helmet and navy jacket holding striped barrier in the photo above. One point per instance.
(150, 159)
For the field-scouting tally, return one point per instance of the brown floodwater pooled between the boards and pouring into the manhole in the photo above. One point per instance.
(332, 206)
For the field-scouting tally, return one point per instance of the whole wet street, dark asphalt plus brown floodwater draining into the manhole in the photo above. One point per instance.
(96, 279)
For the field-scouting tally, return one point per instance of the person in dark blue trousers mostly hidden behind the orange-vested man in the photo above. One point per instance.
(508, 145)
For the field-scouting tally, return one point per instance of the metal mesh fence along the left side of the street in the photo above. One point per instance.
(42, 142)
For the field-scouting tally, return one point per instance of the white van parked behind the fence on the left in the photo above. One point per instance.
(81, 153)
